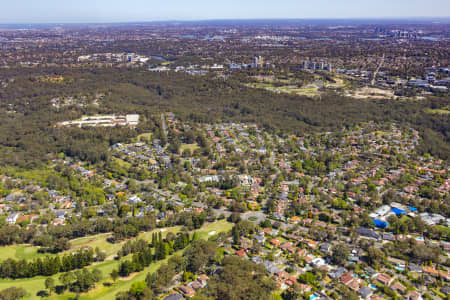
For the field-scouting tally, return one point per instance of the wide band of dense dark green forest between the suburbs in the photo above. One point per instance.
(28, 132)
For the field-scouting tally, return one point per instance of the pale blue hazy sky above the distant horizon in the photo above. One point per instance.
(98, 11)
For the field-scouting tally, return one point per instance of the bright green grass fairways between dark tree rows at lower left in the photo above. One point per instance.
(103, 290)
